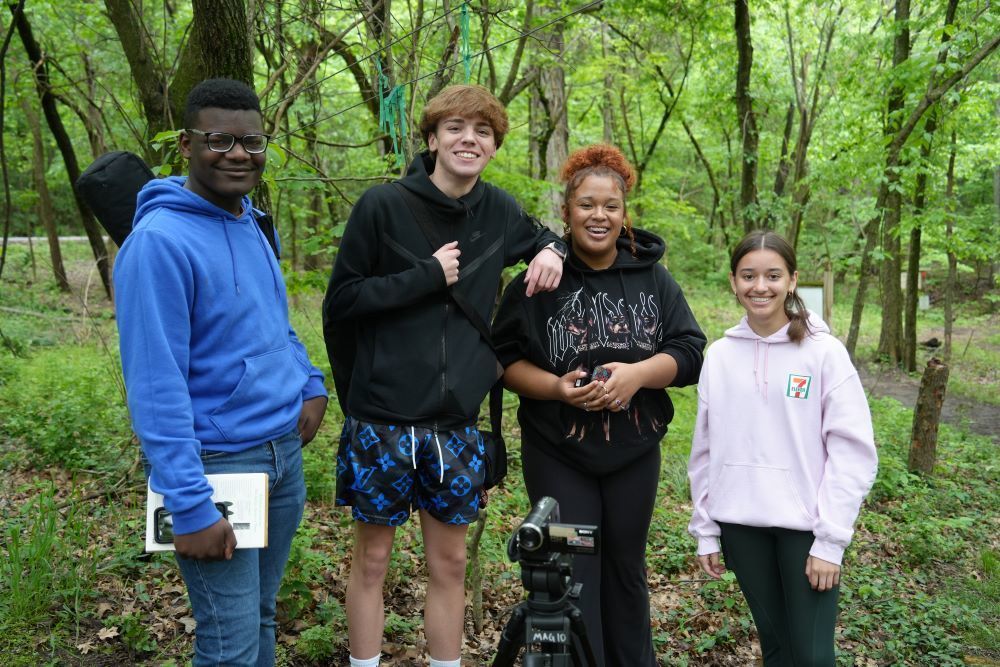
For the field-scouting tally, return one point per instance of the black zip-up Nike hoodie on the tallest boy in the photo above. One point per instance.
(419, 360)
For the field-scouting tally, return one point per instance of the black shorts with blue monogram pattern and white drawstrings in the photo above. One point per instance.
(384, 477)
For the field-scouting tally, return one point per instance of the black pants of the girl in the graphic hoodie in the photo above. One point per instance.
(615, 598)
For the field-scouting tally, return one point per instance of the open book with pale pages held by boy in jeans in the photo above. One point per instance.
(240, 497)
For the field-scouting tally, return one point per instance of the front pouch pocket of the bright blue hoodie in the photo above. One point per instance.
(271, 383)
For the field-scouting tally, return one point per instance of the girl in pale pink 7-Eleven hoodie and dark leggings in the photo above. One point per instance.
(782, 456)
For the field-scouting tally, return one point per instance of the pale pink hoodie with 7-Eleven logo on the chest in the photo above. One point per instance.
(783, 438)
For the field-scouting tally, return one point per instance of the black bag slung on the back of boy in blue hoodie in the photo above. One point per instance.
(111, 184)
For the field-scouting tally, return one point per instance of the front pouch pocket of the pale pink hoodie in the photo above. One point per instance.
(757, 495)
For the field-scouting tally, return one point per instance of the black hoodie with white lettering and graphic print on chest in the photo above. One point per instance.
(627, 312)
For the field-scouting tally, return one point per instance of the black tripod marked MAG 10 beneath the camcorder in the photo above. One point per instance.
(548, 619)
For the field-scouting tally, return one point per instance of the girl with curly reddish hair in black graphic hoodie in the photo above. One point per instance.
(591, 362)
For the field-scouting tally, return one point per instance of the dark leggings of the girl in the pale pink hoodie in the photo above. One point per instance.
(795, 623)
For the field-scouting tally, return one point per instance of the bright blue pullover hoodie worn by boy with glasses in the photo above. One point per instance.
(209, 357)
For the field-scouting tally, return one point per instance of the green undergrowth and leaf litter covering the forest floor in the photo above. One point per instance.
(921, 581)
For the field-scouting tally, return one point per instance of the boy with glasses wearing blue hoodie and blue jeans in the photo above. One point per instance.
(217, 380)
